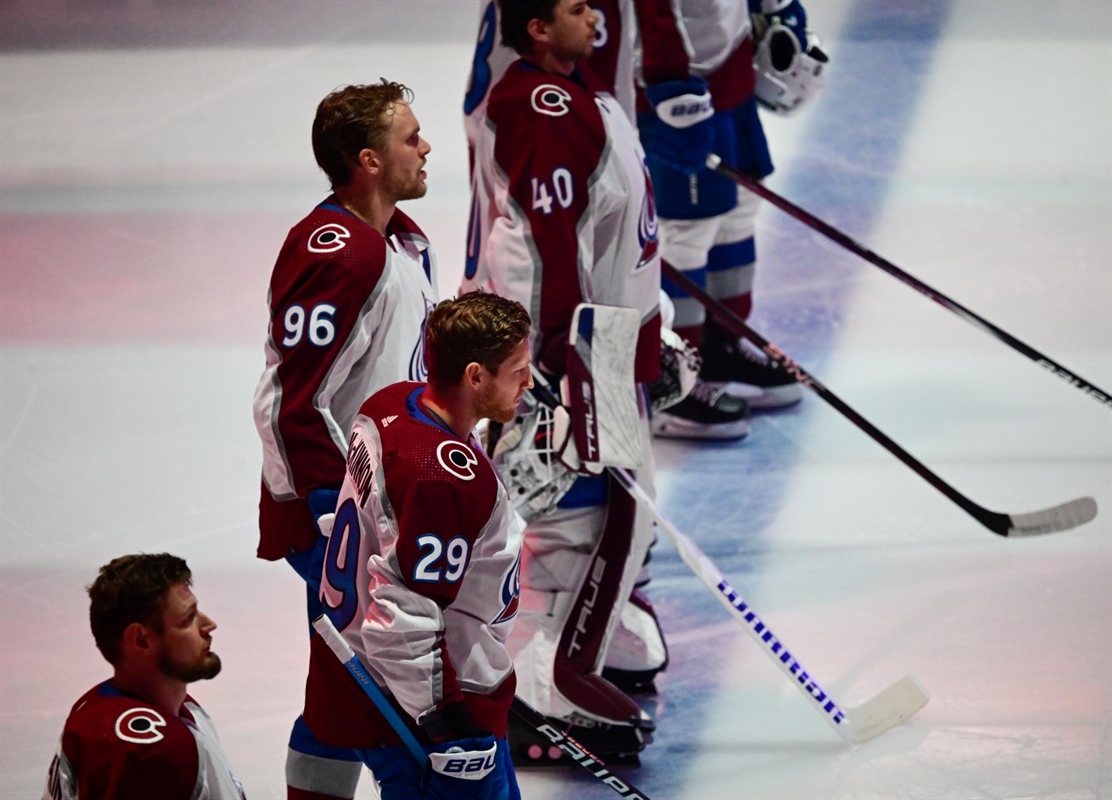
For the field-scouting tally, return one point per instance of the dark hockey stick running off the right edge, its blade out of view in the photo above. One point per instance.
(757, 187)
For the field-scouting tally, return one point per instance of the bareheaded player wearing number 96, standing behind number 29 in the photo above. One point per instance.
(349, 299)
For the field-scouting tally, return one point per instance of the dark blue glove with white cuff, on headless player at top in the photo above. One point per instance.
(682, 133)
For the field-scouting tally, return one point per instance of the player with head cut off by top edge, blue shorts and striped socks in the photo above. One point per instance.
(707, 222)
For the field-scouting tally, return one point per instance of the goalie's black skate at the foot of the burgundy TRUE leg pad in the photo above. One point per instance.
(615, 746)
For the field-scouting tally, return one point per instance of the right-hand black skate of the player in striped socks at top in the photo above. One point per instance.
(731, 366)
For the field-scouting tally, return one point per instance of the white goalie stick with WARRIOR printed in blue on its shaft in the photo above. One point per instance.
(858, 725)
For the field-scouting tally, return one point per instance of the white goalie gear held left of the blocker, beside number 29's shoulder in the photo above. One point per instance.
(537, 459)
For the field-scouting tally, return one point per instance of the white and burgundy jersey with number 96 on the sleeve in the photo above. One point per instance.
(347, 318)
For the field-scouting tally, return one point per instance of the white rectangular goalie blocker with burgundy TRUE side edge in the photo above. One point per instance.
(601, 389)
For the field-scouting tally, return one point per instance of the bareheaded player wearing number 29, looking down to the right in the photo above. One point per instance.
(422, 568)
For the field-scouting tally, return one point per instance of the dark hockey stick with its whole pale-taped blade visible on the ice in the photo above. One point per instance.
(1059, 518)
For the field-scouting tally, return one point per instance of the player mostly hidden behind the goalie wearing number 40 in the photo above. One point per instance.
(612, 62)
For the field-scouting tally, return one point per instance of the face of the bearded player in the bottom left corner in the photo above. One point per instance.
(185, 643)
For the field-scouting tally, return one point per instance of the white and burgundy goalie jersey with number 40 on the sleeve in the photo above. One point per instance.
(563, 210)
